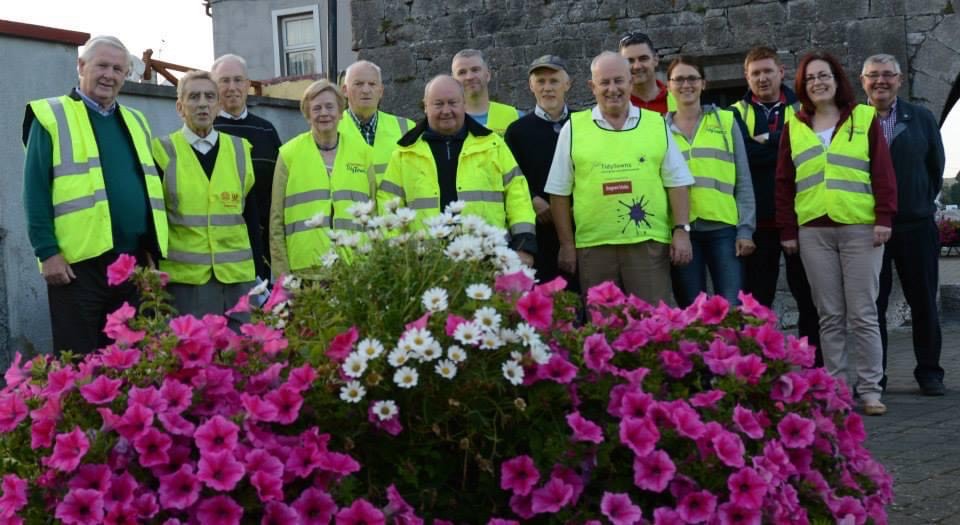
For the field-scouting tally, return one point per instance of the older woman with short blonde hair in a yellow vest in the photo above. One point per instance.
(320, 174)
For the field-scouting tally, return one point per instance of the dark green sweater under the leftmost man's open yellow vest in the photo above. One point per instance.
(126, 189)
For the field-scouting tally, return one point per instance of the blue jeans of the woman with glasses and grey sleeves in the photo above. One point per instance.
(717, 251)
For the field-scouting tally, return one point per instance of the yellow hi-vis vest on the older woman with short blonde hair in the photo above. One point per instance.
(315, 201)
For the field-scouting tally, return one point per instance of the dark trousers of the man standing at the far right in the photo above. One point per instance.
(915, 250)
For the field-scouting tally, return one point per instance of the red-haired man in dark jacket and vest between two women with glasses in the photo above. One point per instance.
(765, 107)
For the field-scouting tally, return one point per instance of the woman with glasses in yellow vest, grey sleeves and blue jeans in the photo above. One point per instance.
(722, 208)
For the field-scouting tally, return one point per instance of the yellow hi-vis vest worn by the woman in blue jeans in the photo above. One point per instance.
(711, 161)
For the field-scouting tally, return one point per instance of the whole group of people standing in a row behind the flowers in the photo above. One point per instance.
(650, 188)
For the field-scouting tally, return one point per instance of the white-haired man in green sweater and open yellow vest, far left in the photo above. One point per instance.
(91, 192)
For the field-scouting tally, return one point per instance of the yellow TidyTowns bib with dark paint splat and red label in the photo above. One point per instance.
(618, 194)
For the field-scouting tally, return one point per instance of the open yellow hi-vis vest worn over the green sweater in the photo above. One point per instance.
(81, 221)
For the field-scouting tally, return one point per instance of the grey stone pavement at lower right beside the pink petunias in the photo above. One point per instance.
(918, 440)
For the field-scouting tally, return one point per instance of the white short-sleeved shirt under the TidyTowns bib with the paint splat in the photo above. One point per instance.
(673, 169)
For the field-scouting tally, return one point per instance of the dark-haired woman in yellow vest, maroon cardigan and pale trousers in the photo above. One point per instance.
(836, 197)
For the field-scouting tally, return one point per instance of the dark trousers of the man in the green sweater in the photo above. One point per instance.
(78, 311)
